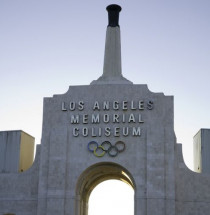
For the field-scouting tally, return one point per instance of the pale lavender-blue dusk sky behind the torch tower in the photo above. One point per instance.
(47, 45)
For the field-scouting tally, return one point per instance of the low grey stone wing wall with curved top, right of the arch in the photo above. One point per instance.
(192, 189)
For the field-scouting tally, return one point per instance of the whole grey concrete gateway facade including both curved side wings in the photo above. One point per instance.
(111, 129)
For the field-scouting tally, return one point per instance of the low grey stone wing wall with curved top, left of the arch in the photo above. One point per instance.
(19, 191)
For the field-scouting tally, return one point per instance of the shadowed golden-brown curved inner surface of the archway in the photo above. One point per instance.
(94, 175)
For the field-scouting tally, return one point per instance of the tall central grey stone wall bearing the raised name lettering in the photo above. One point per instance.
(148, 157)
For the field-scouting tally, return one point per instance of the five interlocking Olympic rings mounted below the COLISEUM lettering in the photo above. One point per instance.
(106, 147)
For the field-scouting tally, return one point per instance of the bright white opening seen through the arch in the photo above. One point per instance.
(112, 197)
